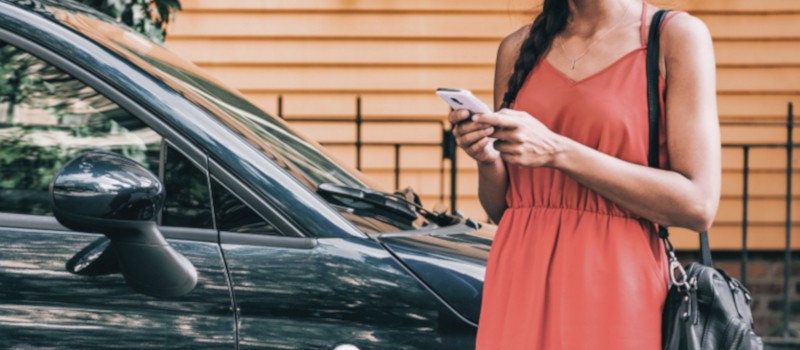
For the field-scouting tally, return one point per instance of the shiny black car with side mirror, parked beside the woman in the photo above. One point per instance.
(144, 205)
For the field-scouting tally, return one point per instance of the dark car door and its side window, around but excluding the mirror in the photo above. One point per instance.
(56, 289)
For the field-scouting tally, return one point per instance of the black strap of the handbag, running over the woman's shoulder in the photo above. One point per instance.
(654, 112)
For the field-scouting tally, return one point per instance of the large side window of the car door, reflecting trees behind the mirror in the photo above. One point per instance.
(46, 118)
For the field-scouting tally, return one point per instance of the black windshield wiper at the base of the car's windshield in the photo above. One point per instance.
(353, 197)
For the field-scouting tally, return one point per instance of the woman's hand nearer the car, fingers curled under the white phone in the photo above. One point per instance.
(473, 137)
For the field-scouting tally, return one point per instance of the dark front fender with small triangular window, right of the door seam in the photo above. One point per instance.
(298, 292)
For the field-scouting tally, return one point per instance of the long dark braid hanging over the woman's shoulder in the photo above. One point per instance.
(545, 27)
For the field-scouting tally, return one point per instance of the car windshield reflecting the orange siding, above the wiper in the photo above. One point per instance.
(302, 157)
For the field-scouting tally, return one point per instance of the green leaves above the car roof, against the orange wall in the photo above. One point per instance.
(149, 17)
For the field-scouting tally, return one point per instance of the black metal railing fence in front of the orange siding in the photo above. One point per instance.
(449, 156)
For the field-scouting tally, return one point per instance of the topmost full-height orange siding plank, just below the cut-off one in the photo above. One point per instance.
(493, 26)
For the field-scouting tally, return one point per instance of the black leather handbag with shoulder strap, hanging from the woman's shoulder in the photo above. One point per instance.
(705, 308)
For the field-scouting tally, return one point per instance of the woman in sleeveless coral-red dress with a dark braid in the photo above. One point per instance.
(576, 262)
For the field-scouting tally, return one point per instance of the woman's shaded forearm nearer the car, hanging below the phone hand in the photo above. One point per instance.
(492, 185)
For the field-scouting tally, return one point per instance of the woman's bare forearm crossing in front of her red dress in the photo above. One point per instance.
(662, 196)
